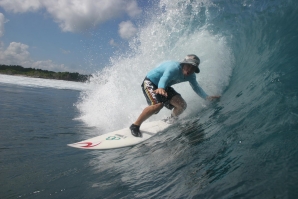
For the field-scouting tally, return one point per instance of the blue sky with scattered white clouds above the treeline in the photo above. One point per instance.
(67, 35)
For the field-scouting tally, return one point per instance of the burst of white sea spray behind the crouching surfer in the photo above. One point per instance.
(117, 100)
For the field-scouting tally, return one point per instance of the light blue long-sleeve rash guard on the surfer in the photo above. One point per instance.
(170, 73)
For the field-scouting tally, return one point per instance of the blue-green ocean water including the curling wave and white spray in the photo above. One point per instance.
(243, 146)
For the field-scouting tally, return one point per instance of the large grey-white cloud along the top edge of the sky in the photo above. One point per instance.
(76, 15)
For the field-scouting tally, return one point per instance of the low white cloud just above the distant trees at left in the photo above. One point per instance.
(18, 54)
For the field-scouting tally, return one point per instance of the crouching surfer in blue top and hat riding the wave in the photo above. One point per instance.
(159, 93)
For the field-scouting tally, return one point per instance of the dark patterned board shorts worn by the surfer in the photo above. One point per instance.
(152, 98)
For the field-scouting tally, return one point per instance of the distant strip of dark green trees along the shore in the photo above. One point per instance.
(32, 72)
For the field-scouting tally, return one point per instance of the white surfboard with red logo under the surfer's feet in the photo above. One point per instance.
(121, 138)
